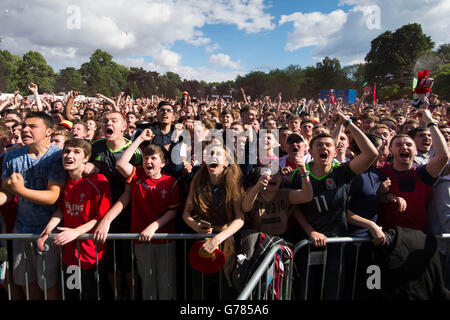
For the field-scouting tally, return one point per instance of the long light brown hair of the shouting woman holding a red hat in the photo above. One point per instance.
(231, 178)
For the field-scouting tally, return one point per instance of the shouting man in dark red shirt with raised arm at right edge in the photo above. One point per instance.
(411, 184)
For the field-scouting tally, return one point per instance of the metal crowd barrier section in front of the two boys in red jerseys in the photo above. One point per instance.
(114, 237)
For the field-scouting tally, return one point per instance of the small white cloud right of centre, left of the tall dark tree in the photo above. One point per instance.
(312, 29)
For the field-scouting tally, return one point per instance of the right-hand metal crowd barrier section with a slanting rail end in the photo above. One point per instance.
(314, 258)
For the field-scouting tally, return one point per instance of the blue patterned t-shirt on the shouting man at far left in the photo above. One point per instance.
(32, 217)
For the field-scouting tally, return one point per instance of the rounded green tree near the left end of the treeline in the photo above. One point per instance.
(34, 68)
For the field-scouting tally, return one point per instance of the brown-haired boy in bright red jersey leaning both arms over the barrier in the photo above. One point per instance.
(83, 203)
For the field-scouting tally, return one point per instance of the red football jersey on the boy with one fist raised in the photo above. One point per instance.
(151, 199)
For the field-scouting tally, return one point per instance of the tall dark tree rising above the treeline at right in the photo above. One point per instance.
(393, 55)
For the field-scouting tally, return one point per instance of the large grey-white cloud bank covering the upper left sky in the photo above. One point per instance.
(132, 28)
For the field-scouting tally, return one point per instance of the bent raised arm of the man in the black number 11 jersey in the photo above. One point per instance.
(368, 151)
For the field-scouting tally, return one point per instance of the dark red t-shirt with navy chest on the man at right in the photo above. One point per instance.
(414, 186)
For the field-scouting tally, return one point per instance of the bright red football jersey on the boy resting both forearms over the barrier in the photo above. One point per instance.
(82, 201)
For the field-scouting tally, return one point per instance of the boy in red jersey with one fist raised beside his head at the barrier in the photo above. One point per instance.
(154, 202)
